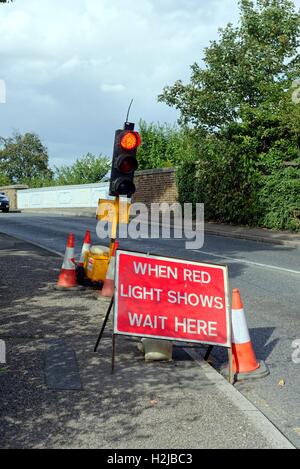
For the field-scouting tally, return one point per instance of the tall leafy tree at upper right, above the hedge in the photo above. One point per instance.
(251, 64)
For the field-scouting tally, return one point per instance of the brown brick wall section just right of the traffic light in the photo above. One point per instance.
(155, 185)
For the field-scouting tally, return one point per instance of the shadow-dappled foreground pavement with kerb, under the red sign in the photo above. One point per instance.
(180, 404)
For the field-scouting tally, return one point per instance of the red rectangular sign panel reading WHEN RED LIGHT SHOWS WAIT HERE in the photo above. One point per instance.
(173, 299)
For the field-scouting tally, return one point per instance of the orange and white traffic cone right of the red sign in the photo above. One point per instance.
(244, 362)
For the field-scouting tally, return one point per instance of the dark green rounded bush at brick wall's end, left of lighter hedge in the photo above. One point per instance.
(217, 178)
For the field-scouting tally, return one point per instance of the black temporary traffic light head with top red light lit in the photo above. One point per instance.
(124, 161)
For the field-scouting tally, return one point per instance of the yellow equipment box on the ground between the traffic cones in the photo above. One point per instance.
(96, 263)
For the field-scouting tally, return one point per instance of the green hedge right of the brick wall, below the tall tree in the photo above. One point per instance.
(238, 188)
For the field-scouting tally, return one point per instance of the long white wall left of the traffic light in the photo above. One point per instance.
(85, 195)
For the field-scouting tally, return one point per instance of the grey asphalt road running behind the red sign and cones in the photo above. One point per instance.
(268, 277)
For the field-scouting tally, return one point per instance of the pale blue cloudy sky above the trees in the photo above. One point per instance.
(71, 67)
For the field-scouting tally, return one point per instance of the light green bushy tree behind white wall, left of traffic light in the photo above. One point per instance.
(88, 169)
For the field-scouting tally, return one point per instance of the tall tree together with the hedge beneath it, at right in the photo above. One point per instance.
(244, 120)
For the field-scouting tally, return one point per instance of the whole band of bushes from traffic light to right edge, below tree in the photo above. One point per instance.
(238, 174)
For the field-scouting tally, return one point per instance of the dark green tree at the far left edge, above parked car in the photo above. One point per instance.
(23, 157)
